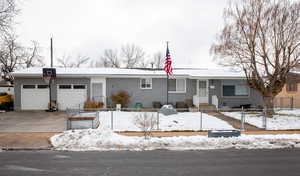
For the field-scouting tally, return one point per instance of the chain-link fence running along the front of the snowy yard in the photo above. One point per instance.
(191, 119)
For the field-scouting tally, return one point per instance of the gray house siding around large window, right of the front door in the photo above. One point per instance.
(254, 98)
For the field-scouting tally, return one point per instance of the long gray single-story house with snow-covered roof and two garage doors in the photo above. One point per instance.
(75, 85)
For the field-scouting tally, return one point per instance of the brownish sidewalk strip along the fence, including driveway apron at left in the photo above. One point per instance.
(40, 141)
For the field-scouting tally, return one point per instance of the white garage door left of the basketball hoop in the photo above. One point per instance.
(34, 97)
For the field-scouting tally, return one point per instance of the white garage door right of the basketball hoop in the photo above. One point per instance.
(71, 96)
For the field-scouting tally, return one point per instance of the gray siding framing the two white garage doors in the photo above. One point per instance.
(18, 82)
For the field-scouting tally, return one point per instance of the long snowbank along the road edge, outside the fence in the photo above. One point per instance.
(104, 139)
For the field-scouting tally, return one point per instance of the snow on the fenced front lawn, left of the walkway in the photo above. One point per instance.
(124, 121)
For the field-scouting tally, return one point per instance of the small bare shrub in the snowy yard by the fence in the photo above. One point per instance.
(146, 122)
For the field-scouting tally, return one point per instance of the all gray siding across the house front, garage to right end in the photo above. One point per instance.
(145, 96)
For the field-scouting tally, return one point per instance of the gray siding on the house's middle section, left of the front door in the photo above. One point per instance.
(147, 96)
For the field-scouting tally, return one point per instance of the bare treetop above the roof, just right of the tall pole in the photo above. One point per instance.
(67, 61)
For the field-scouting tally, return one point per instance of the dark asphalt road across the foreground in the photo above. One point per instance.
(157, 163)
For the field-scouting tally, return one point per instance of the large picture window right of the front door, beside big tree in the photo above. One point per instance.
(235, 88)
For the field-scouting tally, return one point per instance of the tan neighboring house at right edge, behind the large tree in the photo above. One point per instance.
(289, 97)
